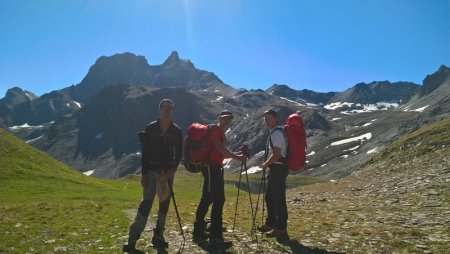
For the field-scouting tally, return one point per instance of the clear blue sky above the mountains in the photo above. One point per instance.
(322, 45)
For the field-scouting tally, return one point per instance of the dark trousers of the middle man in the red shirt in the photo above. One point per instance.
(213, 193)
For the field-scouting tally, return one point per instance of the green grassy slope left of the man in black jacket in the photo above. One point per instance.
(45, 205)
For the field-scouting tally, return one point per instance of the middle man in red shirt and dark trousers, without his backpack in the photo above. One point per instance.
(213, 183)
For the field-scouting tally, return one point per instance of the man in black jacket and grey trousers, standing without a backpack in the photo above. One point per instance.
(161, 154)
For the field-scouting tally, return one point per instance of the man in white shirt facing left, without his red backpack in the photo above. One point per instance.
(277, 169)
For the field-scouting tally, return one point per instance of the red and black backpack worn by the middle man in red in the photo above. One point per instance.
(196, 152)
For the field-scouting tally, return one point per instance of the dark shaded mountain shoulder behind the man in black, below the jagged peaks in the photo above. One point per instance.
(102, 136)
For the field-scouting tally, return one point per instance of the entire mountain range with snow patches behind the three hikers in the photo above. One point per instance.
(92, 125)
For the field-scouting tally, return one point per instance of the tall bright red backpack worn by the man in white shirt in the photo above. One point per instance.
(294, 132)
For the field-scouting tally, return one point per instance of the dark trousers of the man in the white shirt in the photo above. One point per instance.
(276, 196)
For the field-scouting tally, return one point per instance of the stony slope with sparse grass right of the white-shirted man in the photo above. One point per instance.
(398, 202)
